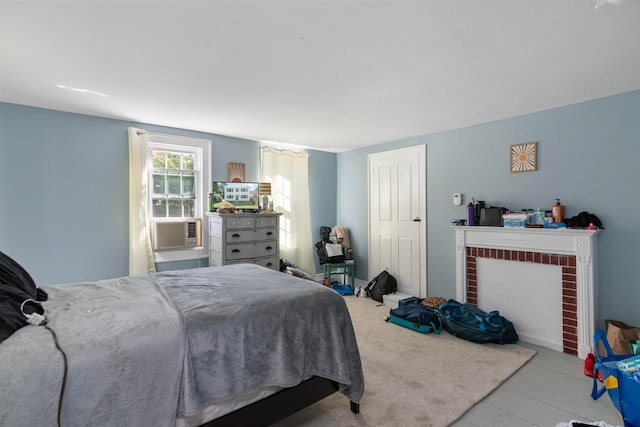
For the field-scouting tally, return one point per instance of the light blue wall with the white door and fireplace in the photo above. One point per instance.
(588, 156)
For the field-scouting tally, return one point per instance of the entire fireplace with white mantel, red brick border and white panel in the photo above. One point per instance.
(570, 253)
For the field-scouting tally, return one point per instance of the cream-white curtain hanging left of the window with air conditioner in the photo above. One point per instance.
(140, 252)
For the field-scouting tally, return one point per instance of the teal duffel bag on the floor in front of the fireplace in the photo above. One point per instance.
(468, 322)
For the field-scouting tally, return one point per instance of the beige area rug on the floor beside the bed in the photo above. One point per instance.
(413, 379)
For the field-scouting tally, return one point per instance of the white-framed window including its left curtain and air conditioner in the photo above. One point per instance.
(169, 178)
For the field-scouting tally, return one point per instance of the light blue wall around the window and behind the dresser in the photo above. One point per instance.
(64, 191)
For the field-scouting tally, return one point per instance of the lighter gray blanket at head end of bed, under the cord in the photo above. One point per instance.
(124, 341)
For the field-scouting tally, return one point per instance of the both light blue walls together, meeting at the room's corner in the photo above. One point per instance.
(64, 189)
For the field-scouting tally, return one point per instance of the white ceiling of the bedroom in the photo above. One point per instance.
(326, 74)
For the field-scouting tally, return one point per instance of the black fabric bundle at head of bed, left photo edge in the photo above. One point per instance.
(16, 286)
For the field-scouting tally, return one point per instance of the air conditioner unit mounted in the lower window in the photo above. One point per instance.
(177, 234)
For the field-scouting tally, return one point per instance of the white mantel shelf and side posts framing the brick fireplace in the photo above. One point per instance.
(537, 241)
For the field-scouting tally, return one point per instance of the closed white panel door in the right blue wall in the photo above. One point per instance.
(397, 223)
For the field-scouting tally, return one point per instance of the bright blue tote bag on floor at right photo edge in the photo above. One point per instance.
(623, 387)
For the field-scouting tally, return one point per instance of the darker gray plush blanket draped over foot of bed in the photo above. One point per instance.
(250, 327)
